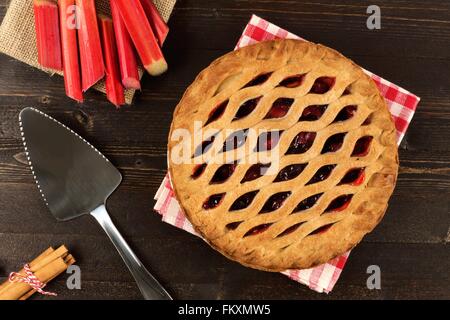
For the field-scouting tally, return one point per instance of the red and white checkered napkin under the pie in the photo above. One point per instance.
(402, 105)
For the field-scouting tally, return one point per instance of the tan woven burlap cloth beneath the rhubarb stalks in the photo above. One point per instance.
(18, 38)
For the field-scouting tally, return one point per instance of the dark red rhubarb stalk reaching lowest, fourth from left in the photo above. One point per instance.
(114, 89)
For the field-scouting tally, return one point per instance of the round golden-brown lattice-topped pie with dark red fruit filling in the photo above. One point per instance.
(283, 155)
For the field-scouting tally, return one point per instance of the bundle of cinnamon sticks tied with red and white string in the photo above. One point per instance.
(47, 266)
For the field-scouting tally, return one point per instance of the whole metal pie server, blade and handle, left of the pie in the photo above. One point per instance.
(75, 179)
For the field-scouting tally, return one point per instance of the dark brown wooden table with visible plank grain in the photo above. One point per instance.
(411, 245)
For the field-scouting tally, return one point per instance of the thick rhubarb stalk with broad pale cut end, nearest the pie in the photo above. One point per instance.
(141, 33)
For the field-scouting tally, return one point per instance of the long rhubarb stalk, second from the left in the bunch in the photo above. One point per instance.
(72, 79)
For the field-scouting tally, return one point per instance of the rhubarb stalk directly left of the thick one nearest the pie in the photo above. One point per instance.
(127, 55)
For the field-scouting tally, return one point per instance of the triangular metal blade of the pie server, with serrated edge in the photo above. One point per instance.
(73, 177)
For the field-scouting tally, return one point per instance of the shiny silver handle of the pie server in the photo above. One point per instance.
(150, 288)
